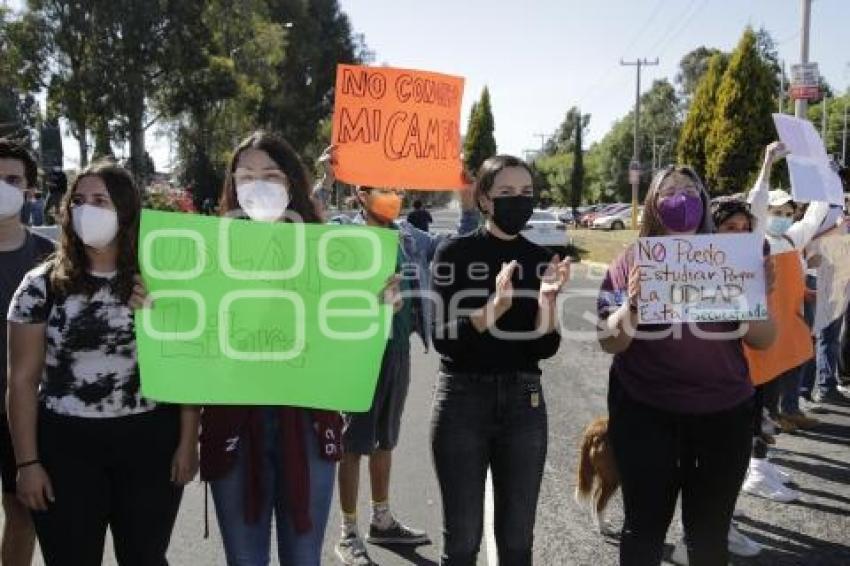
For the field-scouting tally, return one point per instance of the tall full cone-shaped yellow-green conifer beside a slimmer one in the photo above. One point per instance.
(742, 124)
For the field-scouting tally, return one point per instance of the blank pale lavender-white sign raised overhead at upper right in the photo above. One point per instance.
(812, 177)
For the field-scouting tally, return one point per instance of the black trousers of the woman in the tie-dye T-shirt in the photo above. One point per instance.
(111, 472)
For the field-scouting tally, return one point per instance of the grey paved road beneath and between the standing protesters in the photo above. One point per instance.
(814, 532)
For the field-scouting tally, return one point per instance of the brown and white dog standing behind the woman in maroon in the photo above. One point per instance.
(598, 479)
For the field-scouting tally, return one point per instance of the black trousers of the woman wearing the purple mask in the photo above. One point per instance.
(660, 454)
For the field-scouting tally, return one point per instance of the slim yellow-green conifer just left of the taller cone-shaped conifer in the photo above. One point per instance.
(691, 147)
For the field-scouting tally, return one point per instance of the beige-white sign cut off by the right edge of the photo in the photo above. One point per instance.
(833, 280)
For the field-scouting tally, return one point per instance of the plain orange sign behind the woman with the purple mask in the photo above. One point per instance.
(793, 345)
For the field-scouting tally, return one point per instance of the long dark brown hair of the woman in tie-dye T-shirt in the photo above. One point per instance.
(70, 264)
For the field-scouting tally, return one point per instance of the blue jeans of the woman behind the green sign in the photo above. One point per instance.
(248, 545)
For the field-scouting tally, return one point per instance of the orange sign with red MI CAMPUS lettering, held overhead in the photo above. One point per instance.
(397, 128)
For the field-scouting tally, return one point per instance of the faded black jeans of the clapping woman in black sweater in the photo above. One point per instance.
(499, 422)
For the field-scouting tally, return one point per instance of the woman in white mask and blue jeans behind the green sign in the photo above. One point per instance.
(270, 461)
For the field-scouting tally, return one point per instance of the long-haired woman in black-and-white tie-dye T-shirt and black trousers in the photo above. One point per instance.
(91, 451)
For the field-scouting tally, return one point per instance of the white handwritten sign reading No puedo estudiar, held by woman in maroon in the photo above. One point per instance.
(703, 278)
